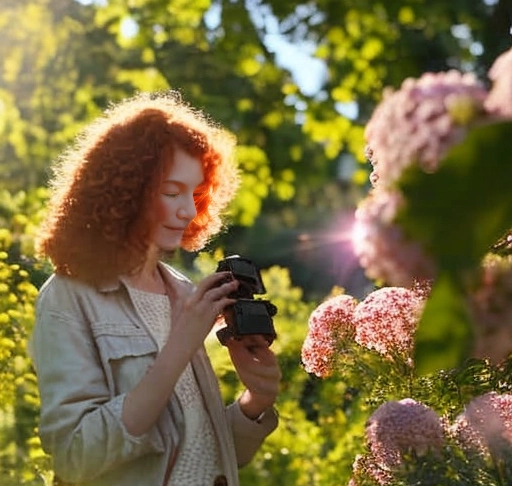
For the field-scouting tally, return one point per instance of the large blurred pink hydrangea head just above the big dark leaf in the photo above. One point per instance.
(418, 123)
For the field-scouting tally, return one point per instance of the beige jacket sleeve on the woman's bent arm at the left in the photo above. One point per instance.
(80, 421)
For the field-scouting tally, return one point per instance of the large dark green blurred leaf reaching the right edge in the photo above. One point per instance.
(459, 211)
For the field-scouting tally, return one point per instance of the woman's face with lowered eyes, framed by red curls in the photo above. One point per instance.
(176, 205)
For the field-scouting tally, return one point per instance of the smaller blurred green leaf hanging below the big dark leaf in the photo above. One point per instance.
(445, 330)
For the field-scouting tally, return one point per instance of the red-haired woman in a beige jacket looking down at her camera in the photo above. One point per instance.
(128, 396)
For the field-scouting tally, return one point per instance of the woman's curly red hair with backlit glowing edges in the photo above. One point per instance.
(100, 217)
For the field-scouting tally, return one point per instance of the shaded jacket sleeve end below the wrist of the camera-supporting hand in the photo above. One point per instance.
(249, 434)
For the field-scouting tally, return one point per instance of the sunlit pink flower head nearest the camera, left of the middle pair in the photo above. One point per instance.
(330, 324)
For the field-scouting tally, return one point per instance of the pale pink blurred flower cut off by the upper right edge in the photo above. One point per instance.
(499, 100)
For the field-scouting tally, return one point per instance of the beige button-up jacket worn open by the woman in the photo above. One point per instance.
(90, 347)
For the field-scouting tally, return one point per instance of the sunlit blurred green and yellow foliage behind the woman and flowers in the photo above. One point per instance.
(62, 61)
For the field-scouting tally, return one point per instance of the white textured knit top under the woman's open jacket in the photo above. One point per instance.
(198, 461)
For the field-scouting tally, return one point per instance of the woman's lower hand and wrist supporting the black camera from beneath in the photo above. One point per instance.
(258, 370)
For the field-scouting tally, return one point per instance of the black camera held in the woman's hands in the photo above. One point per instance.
(247, 316)
